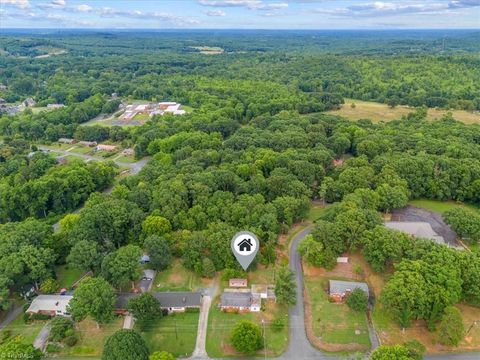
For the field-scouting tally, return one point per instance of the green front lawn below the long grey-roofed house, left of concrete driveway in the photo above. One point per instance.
(175, 333)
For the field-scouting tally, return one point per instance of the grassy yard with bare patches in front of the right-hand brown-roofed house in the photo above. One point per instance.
(335, 326)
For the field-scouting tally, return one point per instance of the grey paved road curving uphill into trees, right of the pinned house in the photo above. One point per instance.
(299, 347)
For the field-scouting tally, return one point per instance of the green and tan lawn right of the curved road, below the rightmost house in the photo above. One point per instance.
(335, 323)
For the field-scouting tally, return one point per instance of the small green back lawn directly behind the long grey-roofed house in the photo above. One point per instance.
(176, 278)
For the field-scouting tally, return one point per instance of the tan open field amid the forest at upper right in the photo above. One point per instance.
(382, 112)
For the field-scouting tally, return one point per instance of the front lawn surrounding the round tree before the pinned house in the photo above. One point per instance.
(220, 325)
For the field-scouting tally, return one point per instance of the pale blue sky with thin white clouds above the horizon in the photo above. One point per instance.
(240, 14)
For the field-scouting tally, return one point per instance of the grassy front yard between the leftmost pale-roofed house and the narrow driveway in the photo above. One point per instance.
(92, 339)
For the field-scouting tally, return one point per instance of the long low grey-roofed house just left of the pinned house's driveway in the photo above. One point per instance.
(174, 301)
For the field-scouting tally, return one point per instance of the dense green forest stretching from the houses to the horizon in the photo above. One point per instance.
(253, 153)
